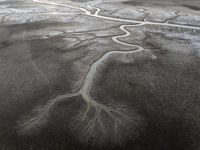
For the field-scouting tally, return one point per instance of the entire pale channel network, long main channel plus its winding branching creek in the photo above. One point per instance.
(115, 114)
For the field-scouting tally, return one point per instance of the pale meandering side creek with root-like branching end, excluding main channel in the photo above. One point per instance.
(35, 121)
